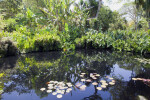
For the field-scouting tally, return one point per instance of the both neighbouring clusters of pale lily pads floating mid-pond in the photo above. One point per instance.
(60, 88)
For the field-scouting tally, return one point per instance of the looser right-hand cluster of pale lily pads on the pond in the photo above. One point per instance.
(94, 78)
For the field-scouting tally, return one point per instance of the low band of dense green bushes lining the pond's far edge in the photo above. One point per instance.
(116, 40)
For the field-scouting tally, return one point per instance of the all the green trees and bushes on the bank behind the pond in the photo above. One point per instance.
(66, 25)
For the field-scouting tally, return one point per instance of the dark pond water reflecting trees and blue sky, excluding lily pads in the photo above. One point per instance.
(25, 75)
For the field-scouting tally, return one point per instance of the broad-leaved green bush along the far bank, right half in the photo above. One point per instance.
(118, 40)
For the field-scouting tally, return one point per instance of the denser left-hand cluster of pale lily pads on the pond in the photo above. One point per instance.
(58, 88)
